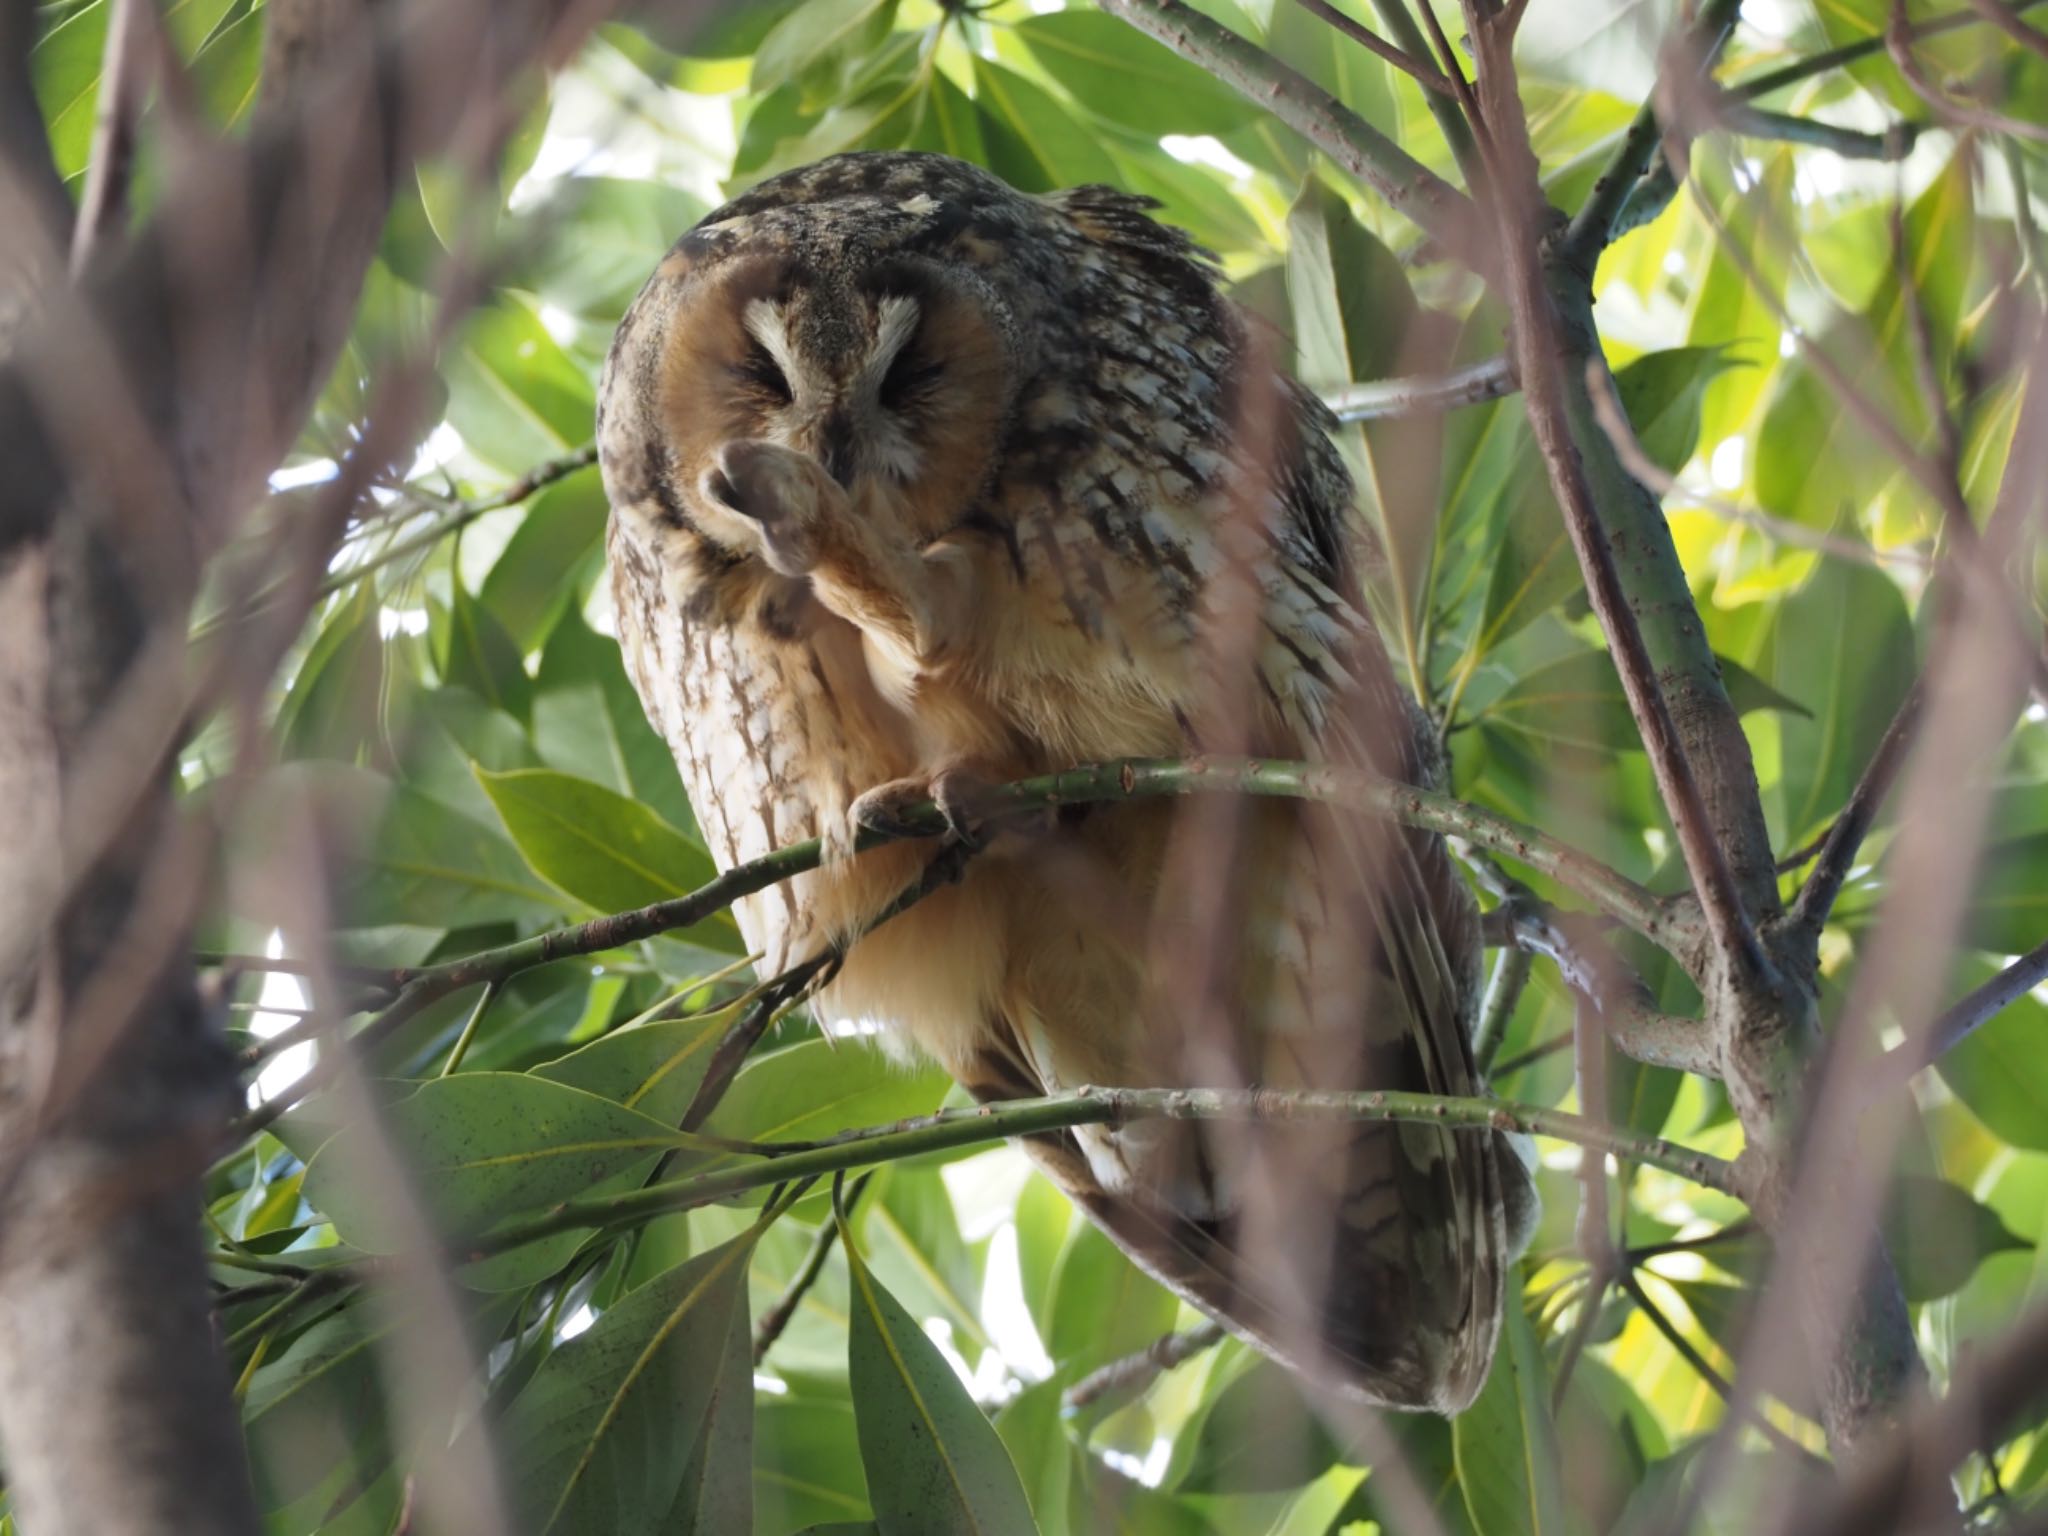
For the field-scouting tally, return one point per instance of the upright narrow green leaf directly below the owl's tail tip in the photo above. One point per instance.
(1506, 1445)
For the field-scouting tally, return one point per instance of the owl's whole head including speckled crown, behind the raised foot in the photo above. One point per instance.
(798, 327)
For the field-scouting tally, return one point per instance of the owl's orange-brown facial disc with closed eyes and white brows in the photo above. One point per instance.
(888, 374)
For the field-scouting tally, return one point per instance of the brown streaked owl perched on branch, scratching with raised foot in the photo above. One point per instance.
(923, 484)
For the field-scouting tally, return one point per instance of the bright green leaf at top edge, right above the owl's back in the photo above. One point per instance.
(1121, 75)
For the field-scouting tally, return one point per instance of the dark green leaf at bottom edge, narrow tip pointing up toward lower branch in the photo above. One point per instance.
(935, 1463)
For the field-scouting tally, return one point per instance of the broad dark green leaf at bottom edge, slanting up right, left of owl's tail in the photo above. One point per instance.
(595, 1441)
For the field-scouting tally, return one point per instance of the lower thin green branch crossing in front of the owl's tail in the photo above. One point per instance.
(1035, 1117)
